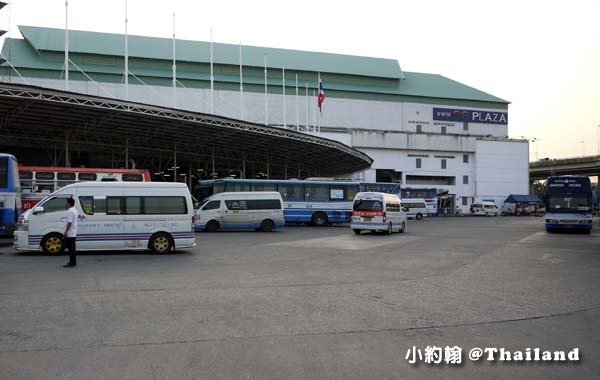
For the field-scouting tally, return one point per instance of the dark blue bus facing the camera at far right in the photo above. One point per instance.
(568, 201)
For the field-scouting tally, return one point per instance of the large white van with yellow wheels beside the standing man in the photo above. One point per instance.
(112, 216)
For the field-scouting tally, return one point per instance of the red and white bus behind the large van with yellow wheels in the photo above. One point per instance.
(39, 181)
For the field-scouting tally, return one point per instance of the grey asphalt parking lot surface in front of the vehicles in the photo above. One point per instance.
(308, 303)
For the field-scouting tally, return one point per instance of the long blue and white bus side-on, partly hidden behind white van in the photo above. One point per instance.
(317, 202)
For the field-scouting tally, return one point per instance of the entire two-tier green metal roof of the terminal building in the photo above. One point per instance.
(101, 55)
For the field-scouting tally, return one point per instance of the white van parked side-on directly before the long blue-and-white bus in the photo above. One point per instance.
(260, 210)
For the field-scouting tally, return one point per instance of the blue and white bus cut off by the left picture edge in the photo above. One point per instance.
(10, 194)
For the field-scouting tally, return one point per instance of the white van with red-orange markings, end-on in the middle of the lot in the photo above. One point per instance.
(377, 212)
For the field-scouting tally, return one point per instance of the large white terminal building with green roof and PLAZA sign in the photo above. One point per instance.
(386, 124)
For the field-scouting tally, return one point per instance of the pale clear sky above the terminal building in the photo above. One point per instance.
(542, 56)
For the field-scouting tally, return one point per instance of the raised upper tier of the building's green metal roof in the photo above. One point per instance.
(198, 51)
